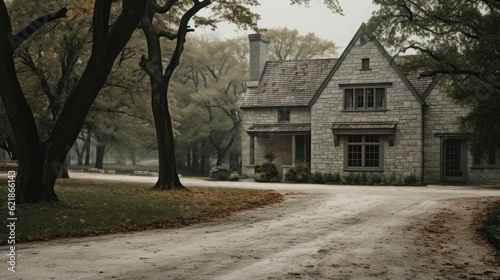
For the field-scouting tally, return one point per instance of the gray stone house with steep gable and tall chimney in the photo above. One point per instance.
(357, 113)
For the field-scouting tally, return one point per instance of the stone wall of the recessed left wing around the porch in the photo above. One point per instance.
(281, 145)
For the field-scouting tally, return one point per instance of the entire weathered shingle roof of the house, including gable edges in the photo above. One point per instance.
(299, 83)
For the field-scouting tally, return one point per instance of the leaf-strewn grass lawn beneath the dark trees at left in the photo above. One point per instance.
(89, 208)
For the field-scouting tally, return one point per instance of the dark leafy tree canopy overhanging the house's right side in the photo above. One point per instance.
(459, 40)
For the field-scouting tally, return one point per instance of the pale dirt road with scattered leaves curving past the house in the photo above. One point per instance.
(318, 232)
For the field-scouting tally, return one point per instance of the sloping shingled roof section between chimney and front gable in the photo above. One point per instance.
(288, 83)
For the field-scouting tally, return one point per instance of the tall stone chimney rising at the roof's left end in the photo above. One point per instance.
(258, 57)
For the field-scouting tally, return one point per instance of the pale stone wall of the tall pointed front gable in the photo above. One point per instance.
(402, 159)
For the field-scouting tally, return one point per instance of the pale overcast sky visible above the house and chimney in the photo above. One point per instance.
(317, 18)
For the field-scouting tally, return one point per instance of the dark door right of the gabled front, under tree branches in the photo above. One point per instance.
(454, 160)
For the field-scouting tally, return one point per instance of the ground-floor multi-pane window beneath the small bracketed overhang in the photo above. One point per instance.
(363, 151)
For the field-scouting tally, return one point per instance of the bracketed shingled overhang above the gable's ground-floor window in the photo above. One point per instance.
(352, 128)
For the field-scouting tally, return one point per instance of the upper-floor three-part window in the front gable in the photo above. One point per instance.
(364, 99)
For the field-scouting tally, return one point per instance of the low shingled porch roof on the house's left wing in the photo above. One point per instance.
(281, 129)
